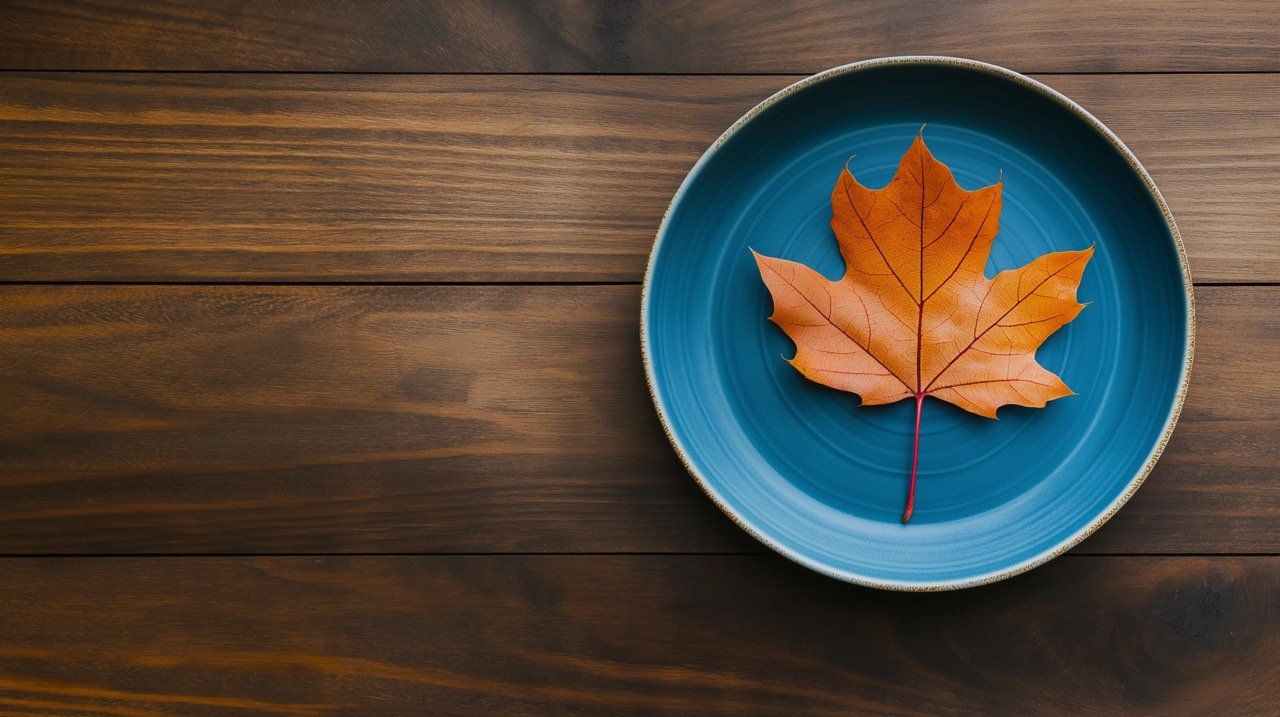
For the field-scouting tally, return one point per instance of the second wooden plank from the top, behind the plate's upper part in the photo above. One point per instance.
(162, 177)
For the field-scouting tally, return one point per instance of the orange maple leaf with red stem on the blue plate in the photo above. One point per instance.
(915, 314)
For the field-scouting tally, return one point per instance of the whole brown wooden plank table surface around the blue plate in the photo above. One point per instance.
(322, 387)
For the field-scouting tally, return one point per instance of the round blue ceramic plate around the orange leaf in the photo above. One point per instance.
(819, 478)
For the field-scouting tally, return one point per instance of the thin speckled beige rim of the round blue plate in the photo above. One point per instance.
(990, 577)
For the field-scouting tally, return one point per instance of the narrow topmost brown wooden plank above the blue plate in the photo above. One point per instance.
(646, 36)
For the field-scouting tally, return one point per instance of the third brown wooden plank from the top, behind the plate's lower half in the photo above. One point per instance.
(463, 419)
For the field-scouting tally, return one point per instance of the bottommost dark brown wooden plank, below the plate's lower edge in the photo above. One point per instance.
(632, 636)
